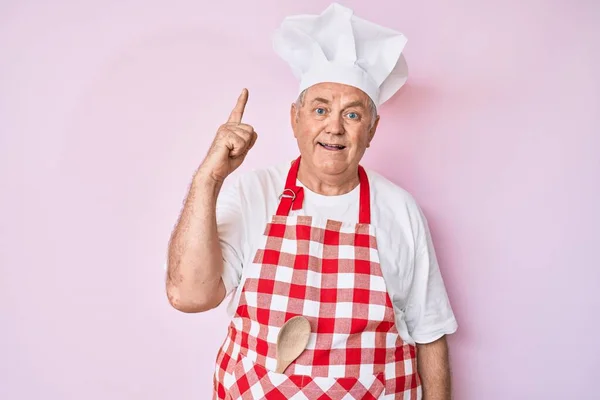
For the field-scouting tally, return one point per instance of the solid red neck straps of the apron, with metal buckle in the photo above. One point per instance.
(293, 195)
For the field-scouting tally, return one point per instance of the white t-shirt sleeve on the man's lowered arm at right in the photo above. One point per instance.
(429, 315)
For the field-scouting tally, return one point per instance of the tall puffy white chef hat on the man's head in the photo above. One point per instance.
(337, 46)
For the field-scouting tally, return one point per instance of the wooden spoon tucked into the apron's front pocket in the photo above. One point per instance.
(291, 341)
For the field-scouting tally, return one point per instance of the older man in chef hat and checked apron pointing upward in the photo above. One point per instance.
(317, 237)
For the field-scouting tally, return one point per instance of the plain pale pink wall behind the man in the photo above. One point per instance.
(107, 107)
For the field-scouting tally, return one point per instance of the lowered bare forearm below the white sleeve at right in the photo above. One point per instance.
(434, 369)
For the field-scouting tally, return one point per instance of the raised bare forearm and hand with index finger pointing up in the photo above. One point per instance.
(195, 259)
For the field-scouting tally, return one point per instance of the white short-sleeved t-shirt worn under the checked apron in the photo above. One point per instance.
(247, 203)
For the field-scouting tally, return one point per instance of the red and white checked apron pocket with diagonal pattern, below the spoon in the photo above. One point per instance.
(253, 381)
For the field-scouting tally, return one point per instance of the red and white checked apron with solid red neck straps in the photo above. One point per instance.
(327, 271)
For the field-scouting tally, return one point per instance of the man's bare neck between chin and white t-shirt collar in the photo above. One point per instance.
(328, 185)
